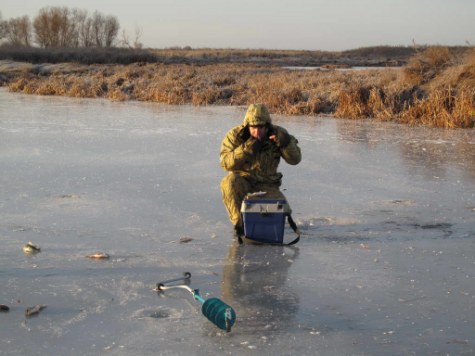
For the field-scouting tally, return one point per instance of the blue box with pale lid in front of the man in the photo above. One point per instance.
(264, 219)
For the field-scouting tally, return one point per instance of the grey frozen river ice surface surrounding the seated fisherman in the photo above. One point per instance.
(386, 263)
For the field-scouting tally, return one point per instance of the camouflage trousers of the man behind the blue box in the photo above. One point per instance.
(235, 187)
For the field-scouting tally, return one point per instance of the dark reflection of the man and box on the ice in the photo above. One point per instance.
(254, 282)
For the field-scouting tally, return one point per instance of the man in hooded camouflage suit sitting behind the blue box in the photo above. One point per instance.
(251, 153)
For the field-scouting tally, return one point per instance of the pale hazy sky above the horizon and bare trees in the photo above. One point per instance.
(279, 24)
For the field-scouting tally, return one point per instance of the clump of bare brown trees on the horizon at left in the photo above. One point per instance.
(57, 27)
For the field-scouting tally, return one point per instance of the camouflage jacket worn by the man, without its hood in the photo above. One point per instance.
(237, 155)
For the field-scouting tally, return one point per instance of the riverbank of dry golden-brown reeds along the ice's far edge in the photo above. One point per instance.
(435, 88)
